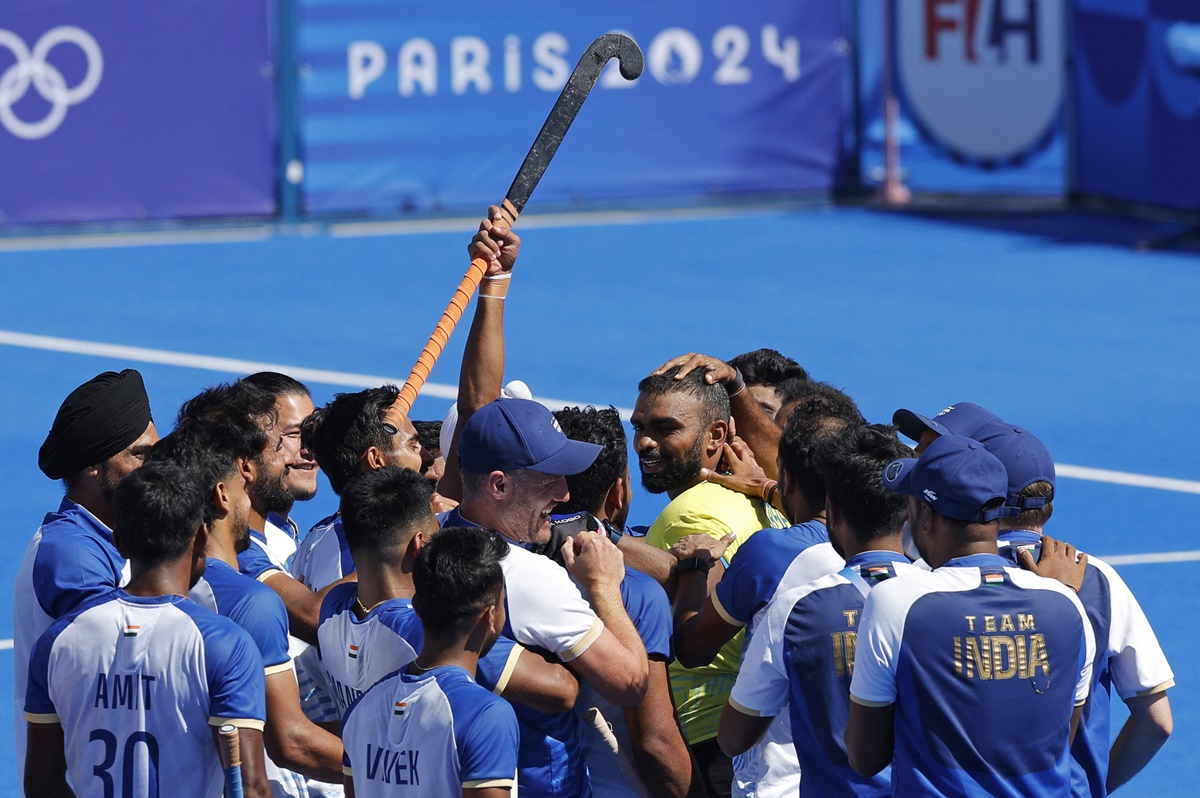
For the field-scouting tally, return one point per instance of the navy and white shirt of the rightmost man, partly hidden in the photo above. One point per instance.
(1127, 658)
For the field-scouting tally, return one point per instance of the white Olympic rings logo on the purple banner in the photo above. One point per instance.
(34, 70)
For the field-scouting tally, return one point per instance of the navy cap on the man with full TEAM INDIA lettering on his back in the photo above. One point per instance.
(957, 477)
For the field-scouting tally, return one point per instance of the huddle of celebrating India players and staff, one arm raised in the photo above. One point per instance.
(820, 610)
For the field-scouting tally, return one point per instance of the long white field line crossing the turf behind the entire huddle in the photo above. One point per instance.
(440, 391)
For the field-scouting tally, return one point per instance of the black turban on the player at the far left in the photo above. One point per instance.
(98, 421)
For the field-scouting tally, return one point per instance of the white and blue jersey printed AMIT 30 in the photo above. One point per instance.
(137, 685)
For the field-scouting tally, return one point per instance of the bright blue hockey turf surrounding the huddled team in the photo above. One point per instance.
(1052, 321)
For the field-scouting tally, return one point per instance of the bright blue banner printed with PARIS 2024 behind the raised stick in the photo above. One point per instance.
(419, 106)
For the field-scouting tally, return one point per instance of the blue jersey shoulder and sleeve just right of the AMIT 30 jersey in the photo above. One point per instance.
(251, 605)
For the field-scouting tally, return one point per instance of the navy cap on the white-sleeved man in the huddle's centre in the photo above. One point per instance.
(513, 434)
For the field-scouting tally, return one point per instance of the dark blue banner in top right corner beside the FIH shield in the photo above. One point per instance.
(1138, 101)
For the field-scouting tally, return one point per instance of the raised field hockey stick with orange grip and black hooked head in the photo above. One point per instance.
(544, 148)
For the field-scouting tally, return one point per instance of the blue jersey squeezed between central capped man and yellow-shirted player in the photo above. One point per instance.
(650, 609)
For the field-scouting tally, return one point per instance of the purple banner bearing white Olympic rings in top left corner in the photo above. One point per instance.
(136, 110)
